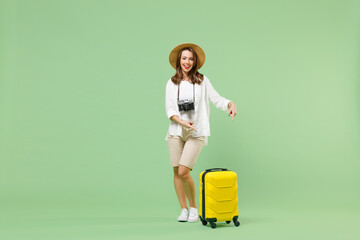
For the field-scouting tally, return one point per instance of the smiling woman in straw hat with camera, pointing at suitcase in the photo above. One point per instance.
(187, 106)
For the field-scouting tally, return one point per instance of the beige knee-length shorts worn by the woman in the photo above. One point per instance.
(184, 150)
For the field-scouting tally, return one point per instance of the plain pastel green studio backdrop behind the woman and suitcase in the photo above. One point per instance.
(82, 117)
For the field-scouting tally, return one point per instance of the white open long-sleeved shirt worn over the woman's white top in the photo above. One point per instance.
(203, 93)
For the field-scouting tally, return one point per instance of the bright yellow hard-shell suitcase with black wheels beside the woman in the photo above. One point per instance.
(218, 197)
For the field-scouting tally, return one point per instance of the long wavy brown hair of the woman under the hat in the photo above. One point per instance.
(194, 75)
